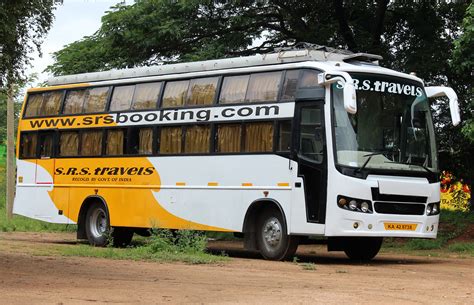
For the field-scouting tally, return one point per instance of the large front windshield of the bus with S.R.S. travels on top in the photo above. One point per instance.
(392, 129)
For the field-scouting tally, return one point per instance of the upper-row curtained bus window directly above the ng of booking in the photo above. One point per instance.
(202, 91)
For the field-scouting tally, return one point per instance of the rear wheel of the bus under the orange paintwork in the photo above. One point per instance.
(97, 225)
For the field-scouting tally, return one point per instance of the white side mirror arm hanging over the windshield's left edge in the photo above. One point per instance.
(347, 83)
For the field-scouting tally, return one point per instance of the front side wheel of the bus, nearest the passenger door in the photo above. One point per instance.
(273, 240)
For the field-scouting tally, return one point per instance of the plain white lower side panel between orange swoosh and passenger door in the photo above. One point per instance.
(218, 190)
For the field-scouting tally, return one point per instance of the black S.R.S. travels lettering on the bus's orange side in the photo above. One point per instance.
(103, 174)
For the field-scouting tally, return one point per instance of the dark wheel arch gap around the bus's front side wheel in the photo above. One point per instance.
(251, 216)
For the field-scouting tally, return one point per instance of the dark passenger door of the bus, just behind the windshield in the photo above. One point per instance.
(311, 157)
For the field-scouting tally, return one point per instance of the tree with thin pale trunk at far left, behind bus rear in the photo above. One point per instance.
(24, 24)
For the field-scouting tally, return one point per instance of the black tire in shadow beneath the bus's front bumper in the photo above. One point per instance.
(362, 248)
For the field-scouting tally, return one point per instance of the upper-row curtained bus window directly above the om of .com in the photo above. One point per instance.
(263, 87)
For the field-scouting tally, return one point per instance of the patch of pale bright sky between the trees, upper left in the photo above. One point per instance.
(73, 20)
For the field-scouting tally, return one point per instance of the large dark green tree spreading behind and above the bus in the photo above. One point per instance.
(412, 36)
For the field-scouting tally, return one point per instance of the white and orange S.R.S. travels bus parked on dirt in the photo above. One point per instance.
(278, 148)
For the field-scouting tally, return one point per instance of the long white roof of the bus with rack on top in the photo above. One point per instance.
(310, 53)
